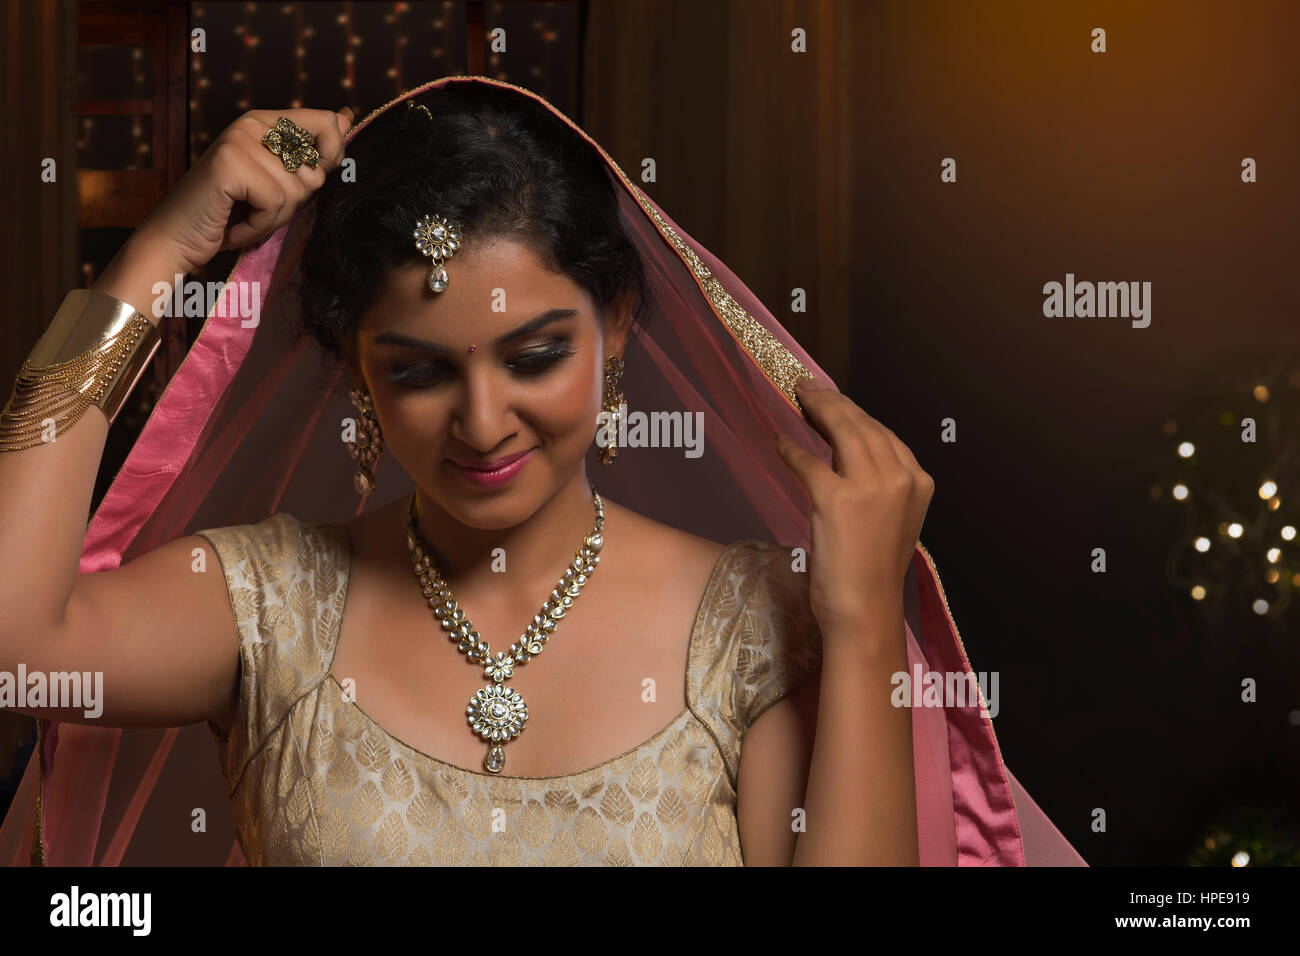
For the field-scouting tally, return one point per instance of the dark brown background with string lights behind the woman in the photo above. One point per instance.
(821, 171)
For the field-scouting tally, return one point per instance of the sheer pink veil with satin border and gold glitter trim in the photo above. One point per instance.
(250, 427)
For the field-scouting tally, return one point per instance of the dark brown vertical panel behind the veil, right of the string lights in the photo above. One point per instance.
(755, 162)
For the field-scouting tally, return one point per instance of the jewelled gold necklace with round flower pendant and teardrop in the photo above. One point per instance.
(497, 712)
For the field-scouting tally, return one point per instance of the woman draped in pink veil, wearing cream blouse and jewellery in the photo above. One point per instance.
(488, 285)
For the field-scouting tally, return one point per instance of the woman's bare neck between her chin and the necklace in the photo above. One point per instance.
(536, 550)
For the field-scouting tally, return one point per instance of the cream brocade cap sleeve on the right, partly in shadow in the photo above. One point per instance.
(759, 639)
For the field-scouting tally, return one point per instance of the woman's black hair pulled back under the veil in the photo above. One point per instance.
(495, 159)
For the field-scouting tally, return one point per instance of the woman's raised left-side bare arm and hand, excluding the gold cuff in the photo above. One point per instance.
(159, 630)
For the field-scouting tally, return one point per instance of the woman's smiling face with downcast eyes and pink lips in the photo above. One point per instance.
(532, 386)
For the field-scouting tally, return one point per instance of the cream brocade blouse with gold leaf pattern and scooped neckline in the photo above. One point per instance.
(311, 780)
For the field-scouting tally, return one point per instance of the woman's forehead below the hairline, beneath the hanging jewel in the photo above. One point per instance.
(493, 287)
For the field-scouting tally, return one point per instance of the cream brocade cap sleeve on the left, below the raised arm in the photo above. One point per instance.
(287, 582)
